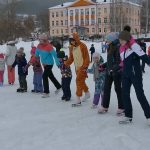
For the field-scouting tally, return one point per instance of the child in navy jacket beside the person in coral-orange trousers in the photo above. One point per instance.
(21, 61)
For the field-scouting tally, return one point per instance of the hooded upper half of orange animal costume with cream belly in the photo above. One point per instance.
(78, 54)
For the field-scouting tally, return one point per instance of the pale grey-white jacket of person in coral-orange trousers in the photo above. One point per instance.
(10, 54)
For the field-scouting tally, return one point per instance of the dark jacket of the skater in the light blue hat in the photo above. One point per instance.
(113, 59)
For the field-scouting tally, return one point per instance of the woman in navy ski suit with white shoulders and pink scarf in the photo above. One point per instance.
(131, 53)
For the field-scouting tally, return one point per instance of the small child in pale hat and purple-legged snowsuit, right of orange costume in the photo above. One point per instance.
(99, 78)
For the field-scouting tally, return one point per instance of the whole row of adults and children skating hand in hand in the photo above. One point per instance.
(125, 66)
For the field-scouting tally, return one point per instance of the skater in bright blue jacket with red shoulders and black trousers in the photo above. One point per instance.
(47, 55)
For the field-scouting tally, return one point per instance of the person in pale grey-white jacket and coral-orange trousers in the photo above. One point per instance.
(11, 51)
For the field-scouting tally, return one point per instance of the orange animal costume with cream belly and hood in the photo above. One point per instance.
(80, 56)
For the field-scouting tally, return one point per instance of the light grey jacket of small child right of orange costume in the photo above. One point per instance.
(95, 69)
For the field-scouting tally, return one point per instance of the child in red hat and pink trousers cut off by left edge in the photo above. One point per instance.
(2, 68)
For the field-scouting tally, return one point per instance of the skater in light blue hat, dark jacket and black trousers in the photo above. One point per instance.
(113, 74)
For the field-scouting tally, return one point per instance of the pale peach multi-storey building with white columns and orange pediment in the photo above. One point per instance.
(93, 18)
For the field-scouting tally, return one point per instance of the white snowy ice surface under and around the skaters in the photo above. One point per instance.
(28, 122)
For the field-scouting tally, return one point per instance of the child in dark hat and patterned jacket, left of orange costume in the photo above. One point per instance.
(66, 76)
